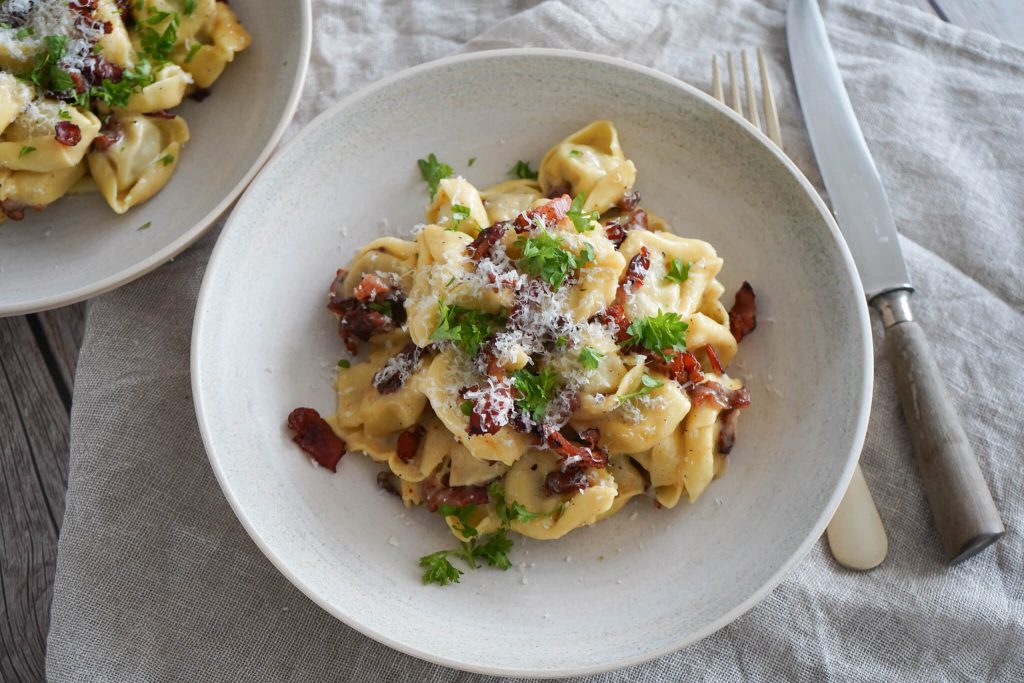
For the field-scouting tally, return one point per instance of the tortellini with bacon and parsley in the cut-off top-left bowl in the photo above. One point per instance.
(86, 93)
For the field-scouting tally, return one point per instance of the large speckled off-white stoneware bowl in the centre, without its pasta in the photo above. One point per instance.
(646, 583)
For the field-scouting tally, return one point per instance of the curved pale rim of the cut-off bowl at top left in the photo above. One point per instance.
(155, 261)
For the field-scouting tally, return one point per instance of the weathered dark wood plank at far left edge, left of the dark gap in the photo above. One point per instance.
(33, 477)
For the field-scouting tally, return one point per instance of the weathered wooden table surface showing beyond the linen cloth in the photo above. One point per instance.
(38, 356)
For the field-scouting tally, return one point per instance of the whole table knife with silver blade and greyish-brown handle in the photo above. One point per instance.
(962, 505)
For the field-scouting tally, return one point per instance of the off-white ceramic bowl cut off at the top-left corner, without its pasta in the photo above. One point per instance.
(79, 248)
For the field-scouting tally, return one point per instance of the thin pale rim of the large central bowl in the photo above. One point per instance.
(864, 408)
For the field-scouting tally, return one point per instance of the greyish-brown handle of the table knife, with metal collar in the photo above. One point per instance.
(962, 505)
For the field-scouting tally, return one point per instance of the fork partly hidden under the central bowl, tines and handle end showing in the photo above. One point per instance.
(857, 537)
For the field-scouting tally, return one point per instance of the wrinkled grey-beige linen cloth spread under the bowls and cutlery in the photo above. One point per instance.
(157, 581)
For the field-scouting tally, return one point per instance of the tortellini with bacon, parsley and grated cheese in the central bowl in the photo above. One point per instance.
(540, 353)
